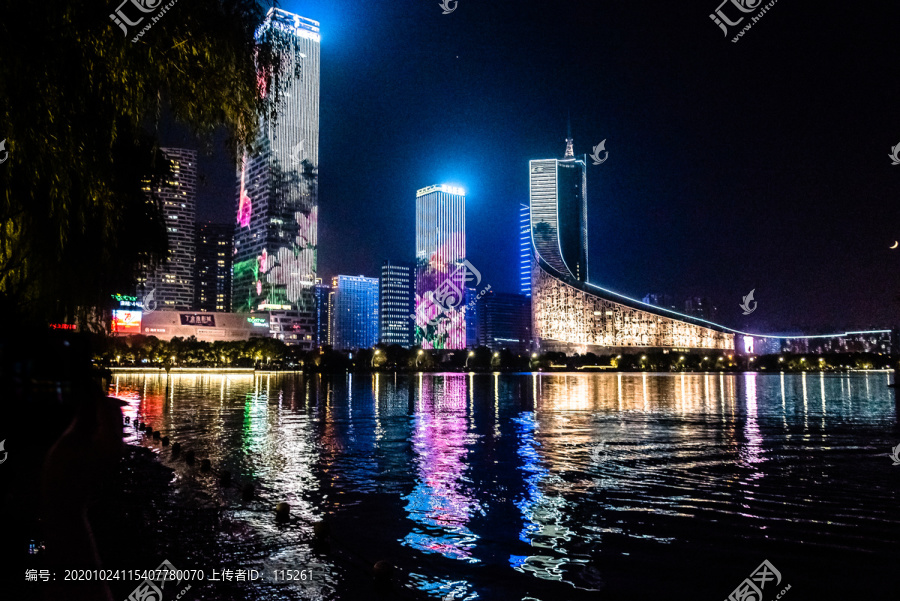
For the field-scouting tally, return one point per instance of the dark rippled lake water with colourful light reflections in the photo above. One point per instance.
(538, 486)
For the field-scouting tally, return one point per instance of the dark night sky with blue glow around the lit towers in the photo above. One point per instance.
(761, 164)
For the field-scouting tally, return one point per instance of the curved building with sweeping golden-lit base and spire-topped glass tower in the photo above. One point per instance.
(568, 313)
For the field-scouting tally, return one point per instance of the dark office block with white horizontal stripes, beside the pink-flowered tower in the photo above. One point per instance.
(397, 303)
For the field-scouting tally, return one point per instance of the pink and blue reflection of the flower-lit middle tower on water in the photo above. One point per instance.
(438, 504)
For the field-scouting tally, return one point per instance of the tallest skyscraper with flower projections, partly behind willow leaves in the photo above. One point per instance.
(277, 208)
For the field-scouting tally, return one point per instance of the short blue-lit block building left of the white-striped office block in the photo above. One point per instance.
(354, 322)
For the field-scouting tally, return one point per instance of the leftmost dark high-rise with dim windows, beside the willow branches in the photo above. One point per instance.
(171, 285)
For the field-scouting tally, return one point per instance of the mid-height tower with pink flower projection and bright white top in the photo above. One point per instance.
(441, 272)
